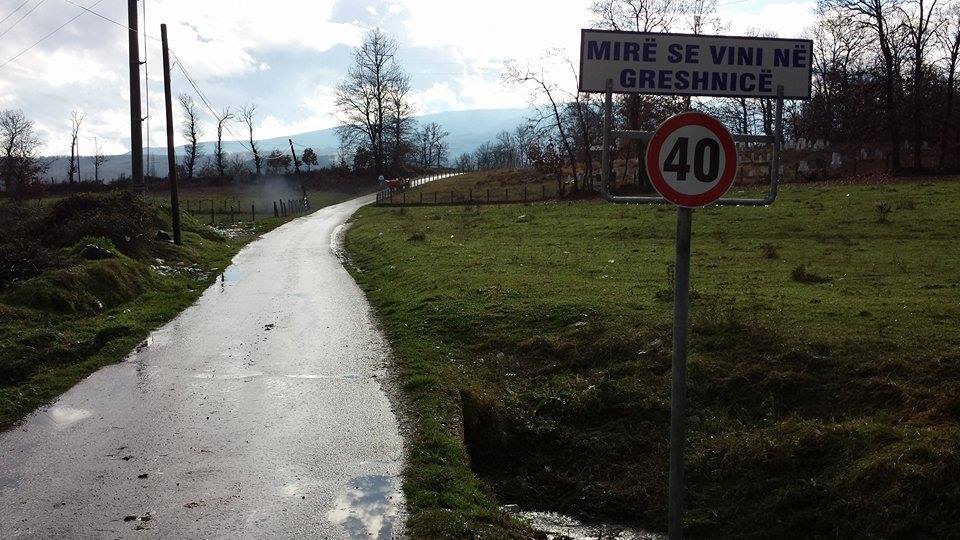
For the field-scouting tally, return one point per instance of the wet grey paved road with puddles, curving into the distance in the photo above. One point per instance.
(258, 412)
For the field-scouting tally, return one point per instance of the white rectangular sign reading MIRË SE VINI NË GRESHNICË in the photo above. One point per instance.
(689, 65)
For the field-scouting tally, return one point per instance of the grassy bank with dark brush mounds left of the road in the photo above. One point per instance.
(76, 315)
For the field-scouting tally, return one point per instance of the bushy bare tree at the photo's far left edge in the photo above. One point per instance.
(20, 145)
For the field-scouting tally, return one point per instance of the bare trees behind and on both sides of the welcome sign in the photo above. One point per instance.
(885, 74)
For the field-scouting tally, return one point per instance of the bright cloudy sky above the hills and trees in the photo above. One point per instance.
(287, 56)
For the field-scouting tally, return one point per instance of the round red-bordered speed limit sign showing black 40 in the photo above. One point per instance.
(691, 159)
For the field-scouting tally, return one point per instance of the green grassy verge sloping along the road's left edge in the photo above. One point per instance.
(60, 326)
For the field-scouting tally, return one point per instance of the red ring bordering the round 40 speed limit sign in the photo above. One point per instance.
(655, 173)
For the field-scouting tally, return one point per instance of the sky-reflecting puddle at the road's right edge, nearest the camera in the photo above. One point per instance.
(369, 508)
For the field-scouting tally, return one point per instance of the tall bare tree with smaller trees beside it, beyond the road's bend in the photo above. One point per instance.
(377, 125)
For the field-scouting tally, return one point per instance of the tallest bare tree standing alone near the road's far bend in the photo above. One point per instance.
(363, 100)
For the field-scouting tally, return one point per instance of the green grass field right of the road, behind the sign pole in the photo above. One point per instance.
(534, 345)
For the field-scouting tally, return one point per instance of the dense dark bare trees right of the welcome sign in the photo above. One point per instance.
(885, 72)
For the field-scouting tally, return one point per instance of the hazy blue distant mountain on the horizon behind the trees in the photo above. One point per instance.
(468, 130)
